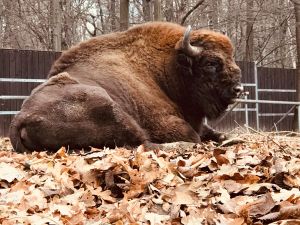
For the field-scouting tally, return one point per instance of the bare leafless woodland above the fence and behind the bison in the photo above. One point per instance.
(261, 30)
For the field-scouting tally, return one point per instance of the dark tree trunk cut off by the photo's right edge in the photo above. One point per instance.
(297, 15)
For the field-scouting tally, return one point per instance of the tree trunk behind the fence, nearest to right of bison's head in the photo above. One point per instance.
(249, 38)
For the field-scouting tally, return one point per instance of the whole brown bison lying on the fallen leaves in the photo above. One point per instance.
(150, 84)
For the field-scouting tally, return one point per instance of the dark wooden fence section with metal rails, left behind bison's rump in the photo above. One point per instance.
(20, 64)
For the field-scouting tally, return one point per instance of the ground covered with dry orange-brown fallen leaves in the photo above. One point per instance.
(254, 180)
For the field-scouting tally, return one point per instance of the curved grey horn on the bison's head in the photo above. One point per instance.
(185, 45)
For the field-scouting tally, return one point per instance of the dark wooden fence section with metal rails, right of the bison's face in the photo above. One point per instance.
(264, 84)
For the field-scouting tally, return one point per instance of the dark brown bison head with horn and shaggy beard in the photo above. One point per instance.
(210, 74)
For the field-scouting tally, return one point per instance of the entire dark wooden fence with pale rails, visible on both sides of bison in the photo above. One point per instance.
(21, 71)
